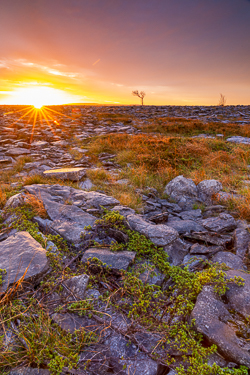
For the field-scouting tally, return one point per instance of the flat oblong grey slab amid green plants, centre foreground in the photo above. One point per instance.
(117, 261)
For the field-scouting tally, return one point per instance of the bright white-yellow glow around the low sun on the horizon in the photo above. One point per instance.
(39, 96)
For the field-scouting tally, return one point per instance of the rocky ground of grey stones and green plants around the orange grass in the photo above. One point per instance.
(92, 286)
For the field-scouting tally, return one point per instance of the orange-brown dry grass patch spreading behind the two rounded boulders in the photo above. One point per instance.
(153, 160)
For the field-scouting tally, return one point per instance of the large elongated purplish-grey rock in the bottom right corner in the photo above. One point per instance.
(211, 319)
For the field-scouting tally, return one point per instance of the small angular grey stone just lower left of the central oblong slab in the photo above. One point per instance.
(75, 287)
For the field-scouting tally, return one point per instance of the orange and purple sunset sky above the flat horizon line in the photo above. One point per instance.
(180, 52)
